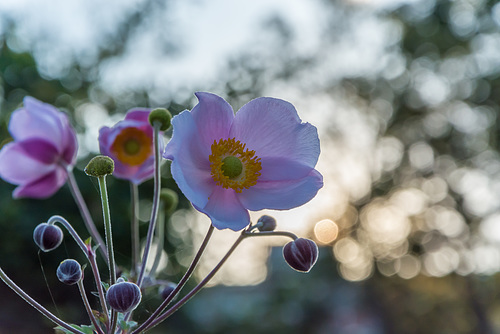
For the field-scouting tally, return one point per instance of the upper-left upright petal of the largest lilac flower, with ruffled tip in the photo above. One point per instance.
(213, 117)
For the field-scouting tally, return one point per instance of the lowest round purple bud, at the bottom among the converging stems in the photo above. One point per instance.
(123, 296)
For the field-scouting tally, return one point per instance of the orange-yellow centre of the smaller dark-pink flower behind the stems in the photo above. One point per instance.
(132, 146)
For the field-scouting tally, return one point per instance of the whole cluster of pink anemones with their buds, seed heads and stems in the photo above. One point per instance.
(225, 163)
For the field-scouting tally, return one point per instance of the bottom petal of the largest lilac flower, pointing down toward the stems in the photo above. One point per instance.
(225, 210)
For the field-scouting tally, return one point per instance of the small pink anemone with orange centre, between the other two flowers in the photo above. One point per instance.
(130, 144)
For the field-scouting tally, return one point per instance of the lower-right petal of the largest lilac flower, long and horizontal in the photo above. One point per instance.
(282, 195)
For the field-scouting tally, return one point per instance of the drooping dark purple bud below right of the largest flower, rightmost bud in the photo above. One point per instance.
(301, 254)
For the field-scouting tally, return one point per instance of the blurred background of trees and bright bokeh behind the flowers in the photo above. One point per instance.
(405, 95)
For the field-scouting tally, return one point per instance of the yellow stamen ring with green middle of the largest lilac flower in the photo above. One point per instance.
(233, 166)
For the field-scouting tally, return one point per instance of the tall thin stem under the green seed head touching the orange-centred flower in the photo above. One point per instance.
(156, 203)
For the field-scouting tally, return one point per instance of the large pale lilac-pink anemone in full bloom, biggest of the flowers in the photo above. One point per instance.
(261, 158)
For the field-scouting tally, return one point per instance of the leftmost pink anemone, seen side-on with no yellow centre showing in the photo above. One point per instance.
(43, 150)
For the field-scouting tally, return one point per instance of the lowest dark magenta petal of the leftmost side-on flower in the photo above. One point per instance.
(43, 187)
